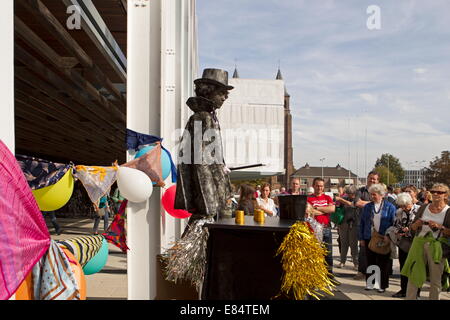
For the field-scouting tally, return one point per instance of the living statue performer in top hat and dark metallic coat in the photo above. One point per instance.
(203, 185)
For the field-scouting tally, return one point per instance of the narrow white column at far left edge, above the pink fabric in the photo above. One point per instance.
(7, 74)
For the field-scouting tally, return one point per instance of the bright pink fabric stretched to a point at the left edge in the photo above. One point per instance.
(24, 237)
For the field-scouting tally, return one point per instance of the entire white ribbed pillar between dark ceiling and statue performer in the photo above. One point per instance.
(162, 64)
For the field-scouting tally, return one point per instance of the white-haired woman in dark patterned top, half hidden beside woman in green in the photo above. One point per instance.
(405, 215)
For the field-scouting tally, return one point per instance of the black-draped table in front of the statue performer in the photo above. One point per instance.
(241, 261)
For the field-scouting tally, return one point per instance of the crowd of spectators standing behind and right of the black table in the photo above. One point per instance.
(380, 223)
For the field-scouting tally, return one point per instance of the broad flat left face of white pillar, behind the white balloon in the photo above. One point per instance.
(143, 115)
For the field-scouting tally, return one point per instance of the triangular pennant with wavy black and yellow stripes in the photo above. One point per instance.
(83, 248)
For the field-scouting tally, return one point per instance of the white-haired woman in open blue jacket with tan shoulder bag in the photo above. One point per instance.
(377, 216)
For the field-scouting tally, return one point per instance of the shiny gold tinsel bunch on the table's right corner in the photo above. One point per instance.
(304, 267)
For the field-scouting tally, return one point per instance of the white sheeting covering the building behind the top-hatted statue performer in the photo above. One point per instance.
(252, 120)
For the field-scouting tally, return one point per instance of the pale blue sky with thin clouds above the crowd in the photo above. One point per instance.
(343, 78)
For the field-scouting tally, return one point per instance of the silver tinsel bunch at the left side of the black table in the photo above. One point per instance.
(186, 260)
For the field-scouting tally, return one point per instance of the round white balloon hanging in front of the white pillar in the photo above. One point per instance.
(134, 185)
